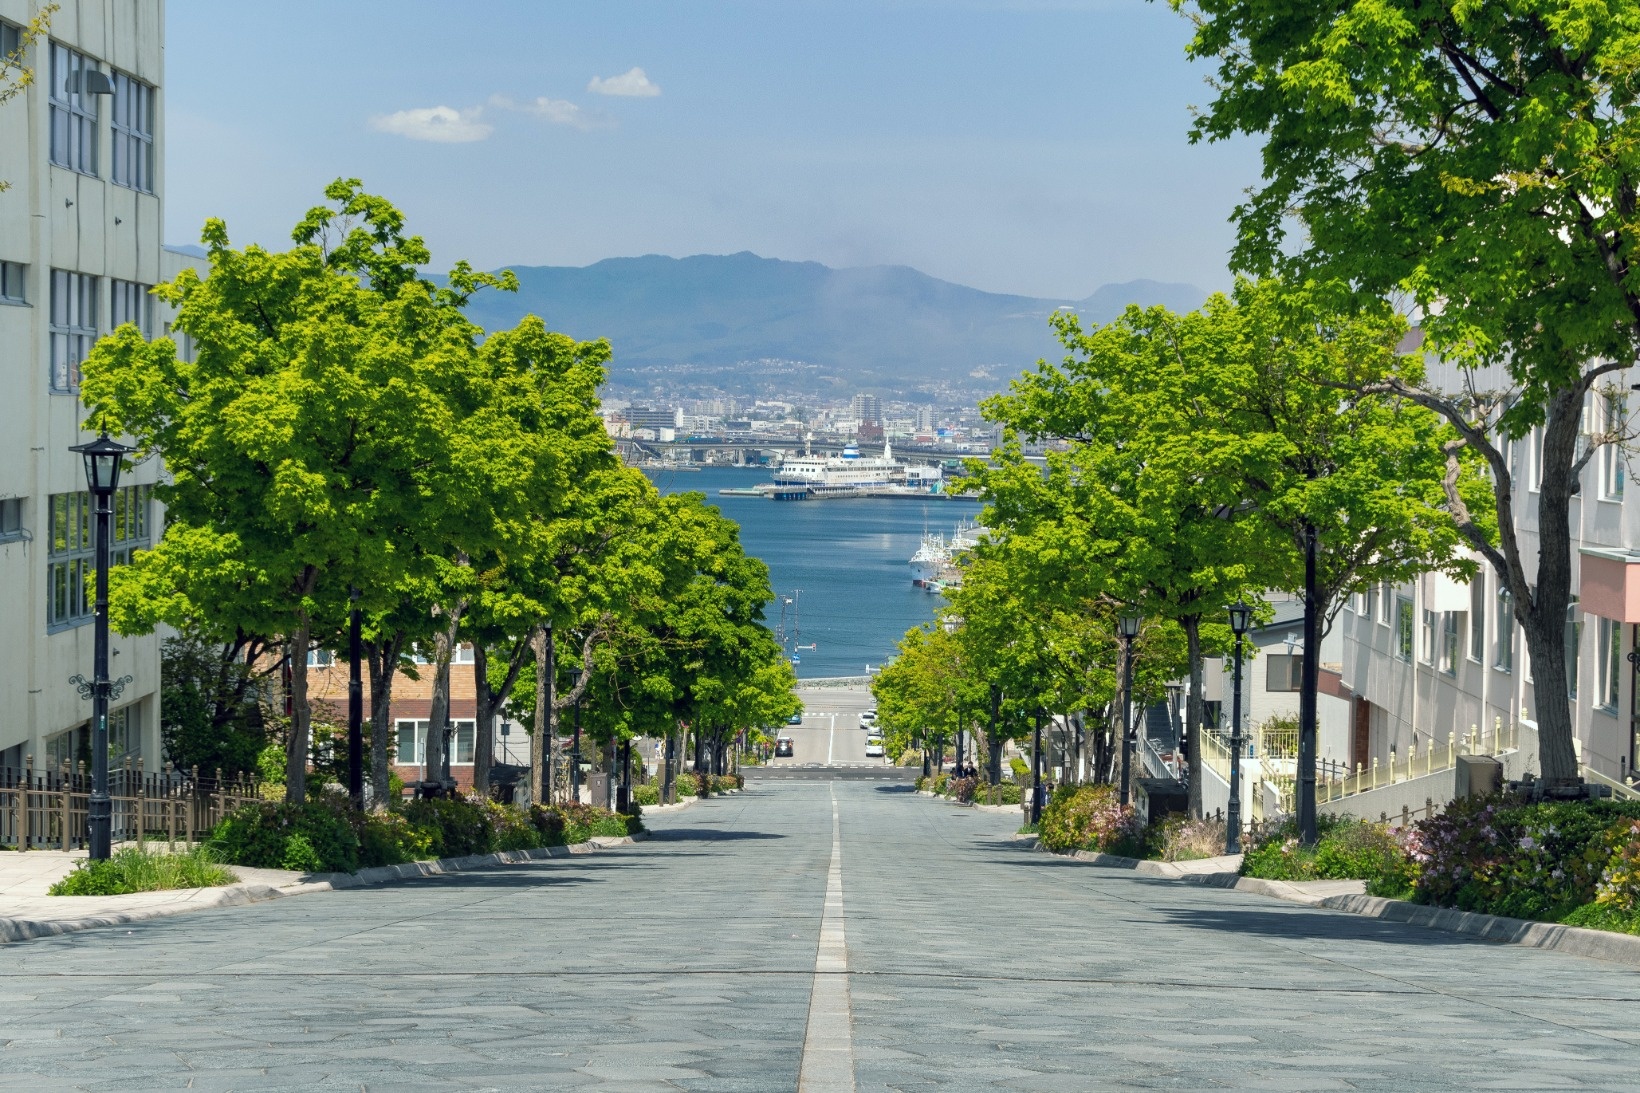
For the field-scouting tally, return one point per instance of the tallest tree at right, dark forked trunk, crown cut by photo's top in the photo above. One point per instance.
(1482, 160)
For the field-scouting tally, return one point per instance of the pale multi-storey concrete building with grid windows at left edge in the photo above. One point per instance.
(80, 249)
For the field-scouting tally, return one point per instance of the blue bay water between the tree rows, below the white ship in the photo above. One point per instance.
(845, 564)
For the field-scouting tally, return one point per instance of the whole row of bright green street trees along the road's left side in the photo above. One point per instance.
(342, 437)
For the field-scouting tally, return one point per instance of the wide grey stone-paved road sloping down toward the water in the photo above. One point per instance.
(690, 964)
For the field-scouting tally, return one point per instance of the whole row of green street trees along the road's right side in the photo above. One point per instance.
(1472, 165)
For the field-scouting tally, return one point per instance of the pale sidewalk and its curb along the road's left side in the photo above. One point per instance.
(29, 912)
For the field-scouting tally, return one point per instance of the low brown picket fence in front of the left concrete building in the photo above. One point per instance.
(45, 808)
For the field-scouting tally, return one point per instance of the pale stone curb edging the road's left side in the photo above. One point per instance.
(244, 895)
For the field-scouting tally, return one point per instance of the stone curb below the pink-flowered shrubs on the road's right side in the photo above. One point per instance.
(1551, 936)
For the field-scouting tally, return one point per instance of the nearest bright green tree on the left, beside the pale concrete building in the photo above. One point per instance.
(316, 444)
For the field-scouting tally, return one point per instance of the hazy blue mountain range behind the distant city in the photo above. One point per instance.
(878, 324)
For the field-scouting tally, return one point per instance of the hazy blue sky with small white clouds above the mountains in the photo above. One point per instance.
(1027, 147)
